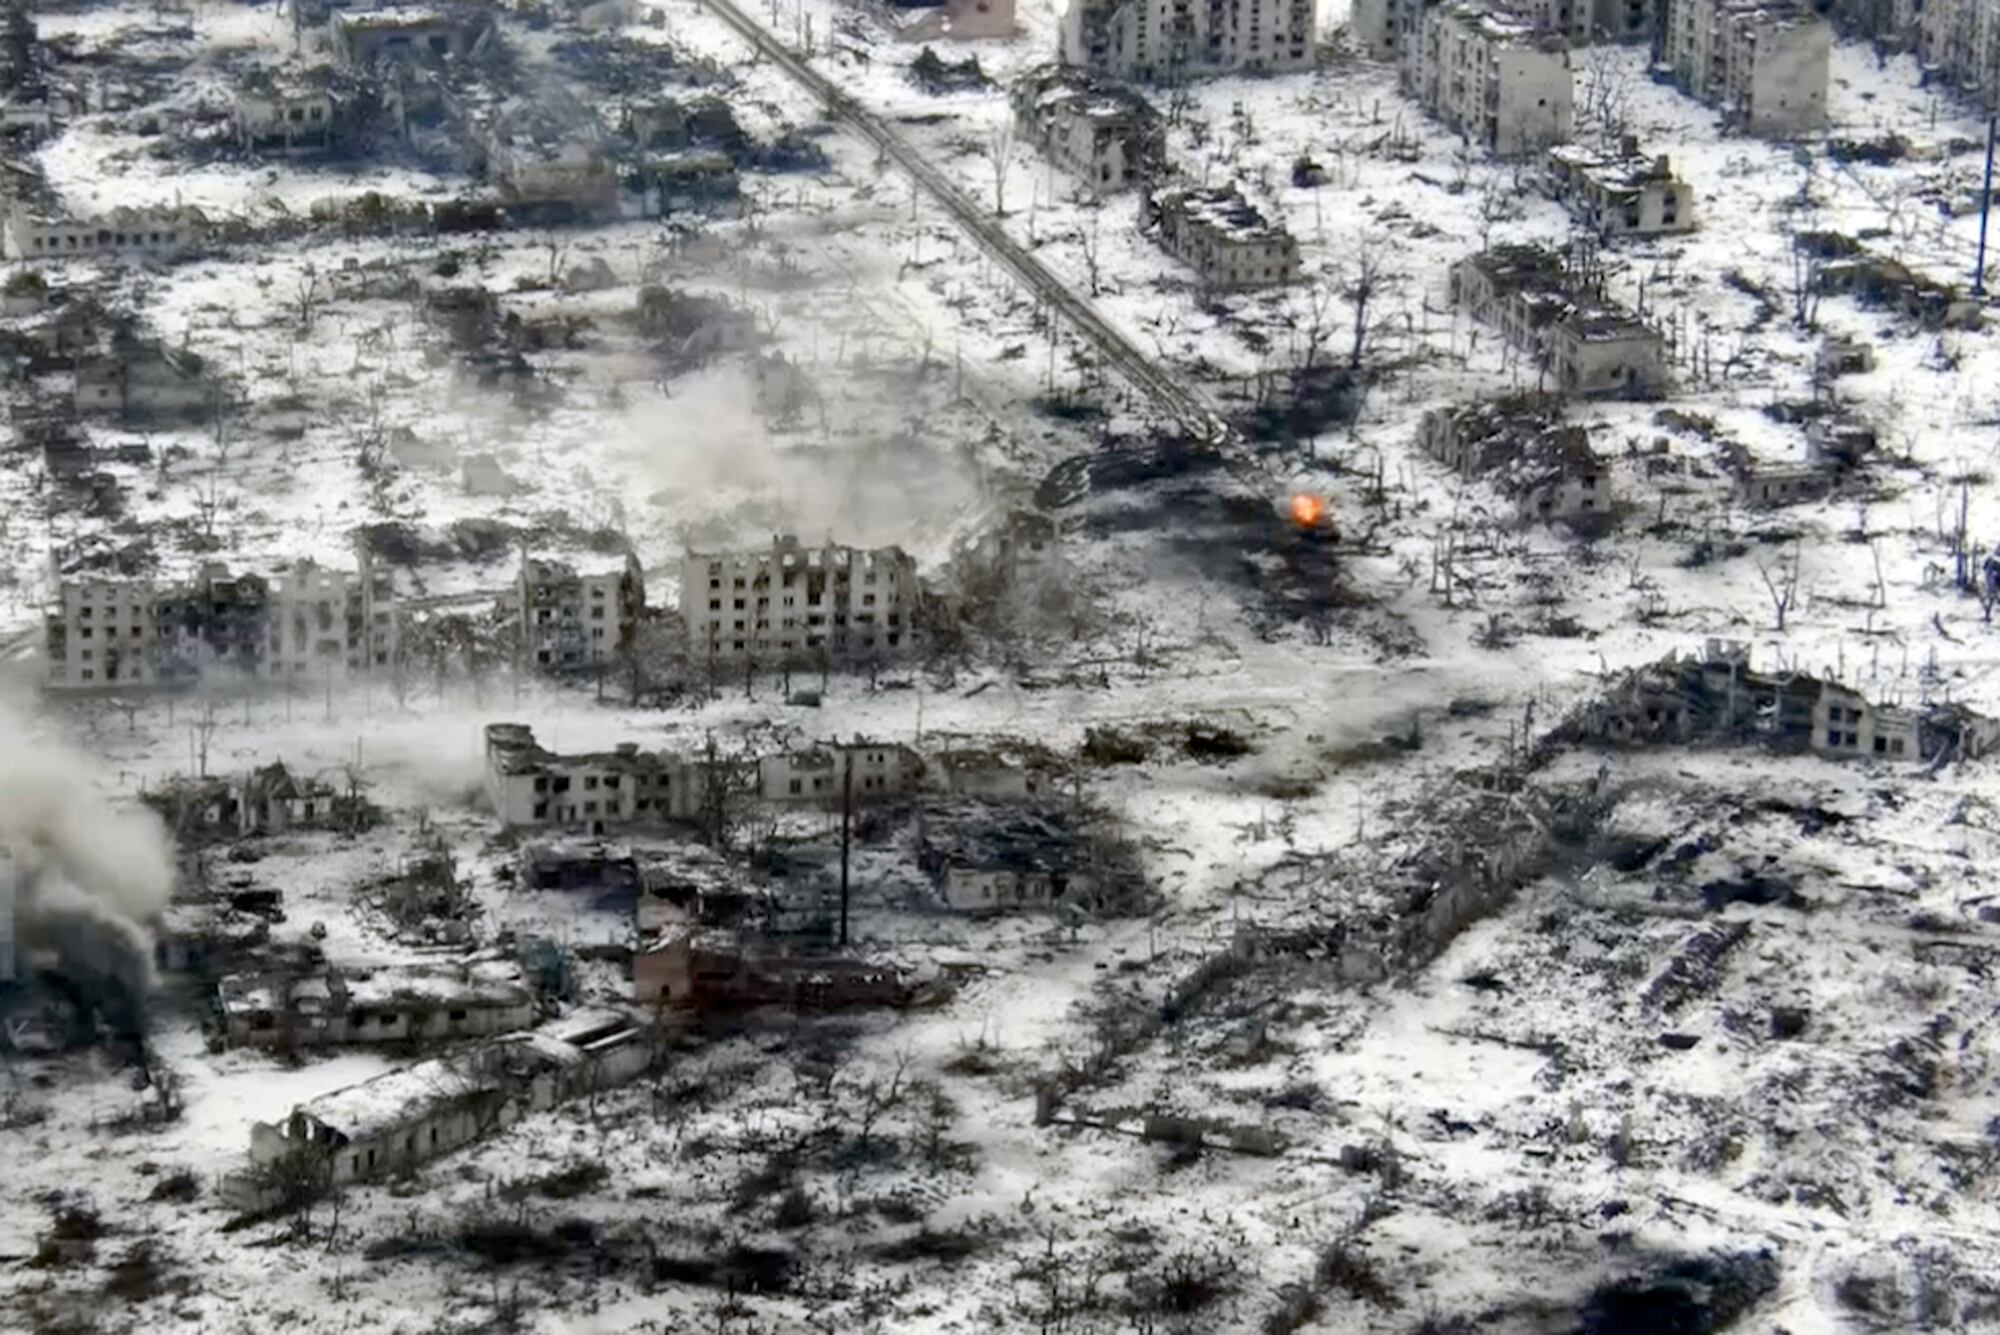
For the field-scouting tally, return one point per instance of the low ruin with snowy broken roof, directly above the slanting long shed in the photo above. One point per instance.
(343, 1006)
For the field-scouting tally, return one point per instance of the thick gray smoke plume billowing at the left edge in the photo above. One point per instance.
(91, 878)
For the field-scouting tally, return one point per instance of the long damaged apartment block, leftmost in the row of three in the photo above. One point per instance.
(307, 625)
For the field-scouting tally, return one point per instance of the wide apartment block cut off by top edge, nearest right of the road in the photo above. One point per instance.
(1185, 39)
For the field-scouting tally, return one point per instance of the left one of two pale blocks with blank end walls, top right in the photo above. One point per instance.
(1499, 81)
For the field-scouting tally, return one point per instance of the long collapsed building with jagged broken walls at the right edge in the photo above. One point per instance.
(1719, 696)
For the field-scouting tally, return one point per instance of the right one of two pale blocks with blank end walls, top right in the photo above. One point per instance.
(1761, 63)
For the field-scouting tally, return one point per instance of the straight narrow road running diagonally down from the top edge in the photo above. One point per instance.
(1169, 393)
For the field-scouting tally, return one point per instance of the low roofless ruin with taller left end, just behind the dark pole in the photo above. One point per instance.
(595, 792)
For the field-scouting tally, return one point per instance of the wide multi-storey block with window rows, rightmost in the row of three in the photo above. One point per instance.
(797, 605)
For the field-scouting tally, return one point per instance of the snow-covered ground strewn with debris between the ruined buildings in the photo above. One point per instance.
(1781, 1100)
